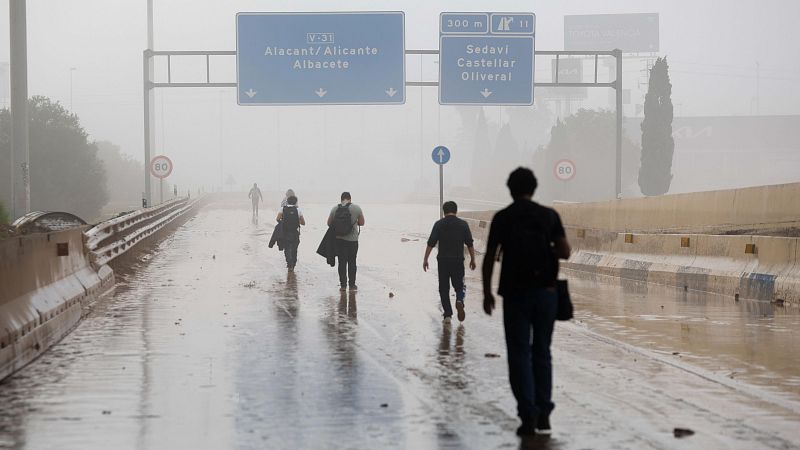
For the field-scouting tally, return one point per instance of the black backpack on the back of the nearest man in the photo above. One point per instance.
(528, 245)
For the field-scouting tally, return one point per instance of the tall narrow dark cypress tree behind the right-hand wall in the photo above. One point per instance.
(658, 146)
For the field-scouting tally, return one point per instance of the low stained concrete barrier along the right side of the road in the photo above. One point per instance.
(752, 267)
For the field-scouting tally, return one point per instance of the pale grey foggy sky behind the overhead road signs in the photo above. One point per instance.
(713, 48)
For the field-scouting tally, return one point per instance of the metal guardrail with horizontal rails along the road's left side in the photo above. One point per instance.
(113, 238)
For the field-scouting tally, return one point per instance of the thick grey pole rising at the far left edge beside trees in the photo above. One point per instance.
(20, 157)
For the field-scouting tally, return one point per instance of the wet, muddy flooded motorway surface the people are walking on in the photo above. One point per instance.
(211, 344)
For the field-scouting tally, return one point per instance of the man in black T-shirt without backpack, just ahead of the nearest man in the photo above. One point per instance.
(452, 234)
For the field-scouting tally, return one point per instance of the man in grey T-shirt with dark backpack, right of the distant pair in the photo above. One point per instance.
(346, 218)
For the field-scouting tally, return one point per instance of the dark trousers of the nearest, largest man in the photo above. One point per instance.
(529, 367)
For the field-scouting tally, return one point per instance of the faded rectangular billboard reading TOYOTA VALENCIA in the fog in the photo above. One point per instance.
(632, 33)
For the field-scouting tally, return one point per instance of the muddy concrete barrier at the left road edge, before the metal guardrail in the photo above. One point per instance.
(46, 281)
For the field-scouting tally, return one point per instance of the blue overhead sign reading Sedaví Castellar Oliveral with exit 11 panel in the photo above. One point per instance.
(486, 58)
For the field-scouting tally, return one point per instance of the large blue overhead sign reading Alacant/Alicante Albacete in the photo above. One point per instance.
(320, 58)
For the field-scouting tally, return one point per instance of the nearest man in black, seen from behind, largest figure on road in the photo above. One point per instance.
(530, 238)
